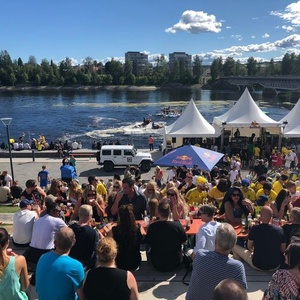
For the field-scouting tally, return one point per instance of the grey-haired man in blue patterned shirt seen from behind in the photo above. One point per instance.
(211, 267)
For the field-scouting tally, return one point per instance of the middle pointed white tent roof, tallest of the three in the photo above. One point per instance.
(245, 112)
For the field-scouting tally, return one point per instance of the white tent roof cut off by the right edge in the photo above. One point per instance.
(292, 128)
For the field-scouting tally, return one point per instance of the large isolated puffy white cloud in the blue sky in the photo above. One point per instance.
(196, 22)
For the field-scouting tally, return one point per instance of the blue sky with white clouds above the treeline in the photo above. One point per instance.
(104, 29)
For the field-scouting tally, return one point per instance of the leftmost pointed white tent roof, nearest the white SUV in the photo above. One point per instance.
(191, 124)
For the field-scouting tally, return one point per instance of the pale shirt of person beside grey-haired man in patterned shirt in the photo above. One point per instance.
(206, 236)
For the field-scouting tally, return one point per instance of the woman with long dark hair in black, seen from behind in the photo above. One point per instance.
(128, 236)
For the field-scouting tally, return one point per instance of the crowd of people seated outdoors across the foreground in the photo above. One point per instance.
(60, 227)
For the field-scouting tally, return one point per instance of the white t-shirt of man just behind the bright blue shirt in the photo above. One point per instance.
(44, 230)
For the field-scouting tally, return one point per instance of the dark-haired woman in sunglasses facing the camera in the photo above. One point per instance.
(234, 206)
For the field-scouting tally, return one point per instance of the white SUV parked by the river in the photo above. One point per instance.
(122, 155)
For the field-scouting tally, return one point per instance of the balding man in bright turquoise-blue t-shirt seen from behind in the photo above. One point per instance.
(58, 276)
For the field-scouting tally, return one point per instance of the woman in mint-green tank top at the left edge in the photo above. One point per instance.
(13, 271)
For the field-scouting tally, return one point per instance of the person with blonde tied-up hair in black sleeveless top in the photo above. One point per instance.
(107, 281)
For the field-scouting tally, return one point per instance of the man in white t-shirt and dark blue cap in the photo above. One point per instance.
(23, 224)
